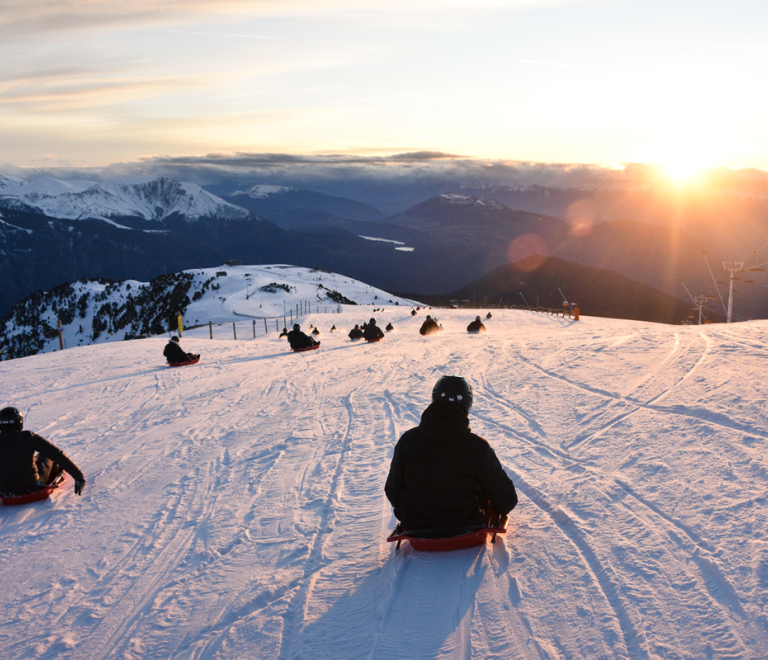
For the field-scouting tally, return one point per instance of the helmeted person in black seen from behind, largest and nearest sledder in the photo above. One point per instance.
(443, 477)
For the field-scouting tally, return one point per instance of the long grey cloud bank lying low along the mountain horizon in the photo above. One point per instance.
(424, 171)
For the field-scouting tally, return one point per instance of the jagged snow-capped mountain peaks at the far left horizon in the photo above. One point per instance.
(152, 200)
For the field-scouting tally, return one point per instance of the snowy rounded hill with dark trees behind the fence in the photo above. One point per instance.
(97, 311)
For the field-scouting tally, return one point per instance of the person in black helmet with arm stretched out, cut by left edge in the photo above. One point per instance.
(28, 462)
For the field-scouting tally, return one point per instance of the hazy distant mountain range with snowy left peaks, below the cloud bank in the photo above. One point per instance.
(55, 231)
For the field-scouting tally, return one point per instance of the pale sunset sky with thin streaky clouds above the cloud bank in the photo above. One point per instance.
(89, 83)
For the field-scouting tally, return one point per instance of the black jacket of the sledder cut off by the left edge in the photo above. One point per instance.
(18, 470)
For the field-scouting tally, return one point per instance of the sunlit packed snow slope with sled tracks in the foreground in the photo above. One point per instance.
(235, 509)
